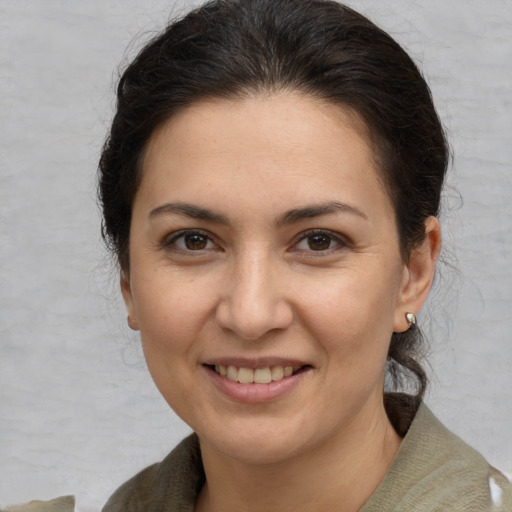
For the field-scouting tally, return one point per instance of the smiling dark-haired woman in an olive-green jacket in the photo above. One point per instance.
(271, 186)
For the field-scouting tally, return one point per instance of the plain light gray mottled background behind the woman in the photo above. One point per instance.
(78, 411)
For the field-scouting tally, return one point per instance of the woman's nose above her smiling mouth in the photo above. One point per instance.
(253, 303)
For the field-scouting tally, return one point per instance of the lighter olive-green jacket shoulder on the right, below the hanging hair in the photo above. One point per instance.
(435, 470)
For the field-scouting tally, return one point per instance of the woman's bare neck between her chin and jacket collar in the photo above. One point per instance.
(340, 474)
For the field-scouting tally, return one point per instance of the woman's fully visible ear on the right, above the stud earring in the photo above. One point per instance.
(418, 275)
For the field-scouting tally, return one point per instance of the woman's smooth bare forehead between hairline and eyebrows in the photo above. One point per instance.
(266, 143)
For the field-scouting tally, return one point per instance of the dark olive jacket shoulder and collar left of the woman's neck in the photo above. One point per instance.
(164, 486)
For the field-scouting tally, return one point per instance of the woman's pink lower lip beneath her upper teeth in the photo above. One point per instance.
(255, 393)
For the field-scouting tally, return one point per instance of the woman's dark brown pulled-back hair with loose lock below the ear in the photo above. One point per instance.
(236, 48)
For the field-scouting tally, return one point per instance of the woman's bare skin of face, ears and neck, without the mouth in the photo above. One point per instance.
(252, 280)
